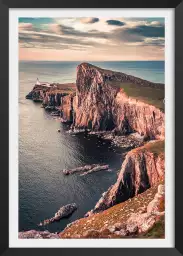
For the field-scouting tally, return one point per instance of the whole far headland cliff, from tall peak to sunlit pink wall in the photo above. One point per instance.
(101, 105)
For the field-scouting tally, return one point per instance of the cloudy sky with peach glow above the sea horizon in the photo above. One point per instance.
(91, 39)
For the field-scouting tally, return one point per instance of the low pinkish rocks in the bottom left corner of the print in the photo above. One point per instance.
(33, 234)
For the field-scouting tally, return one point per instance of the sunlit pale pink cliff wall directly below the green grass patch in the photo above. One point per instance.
(134, 115)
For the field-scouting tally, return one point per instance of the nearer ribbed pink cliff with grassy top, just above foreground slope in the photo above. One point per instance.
(143, 168)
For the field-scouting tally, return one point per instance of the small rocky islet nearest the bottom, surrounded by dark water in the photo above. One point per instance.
(63, 212)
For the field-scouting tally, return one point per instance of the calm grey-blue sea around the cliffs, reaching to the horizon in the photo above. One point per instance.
(44, 153)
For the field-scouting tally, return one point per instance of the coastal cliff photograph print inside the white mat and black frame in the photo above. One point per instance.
(91, 128)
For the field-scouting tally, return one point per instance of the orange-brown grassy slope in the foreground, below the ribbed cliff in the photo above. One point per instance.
(118, 213)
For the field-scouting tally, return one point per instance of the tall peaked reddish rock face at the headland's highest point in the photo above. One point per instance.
(94, 99)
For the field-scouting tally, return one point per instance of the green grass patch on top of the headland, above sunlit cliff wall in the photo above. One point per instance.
(150, 95)
